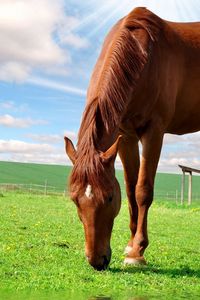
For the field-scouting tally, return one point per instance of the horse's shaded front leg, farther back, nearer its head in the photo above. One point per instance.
(129, 154)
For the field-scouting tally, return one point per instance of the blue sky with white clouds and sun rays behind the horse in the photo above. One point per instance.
(47, 53)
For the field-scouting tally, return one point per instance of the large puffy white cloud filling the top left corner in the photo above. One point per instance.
(28, 30)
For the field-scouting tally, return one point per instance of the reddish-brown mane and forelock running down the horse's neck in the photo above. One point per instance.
(122, 68)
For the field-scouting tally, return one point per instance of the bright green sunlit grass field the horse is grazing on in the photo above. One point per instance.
(42, 249)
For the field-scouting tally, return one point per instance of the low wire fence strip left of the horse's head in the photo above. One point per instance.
(31, 188)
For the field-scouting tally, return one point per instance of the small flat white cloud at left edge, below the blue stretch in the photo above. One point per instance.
(10, 121)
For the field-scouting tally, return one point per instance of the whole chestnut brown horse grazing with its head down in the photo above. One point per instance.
(146, 83)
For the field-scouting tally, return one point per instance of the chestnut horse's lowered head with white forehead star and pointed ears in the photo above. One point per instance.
(98, 203)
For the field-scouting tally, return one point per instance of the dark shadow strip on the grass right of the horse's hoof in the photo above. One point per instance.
(184, 271)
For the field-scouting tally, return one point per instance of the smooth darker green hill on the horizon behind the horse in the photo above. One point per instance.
(57, 176)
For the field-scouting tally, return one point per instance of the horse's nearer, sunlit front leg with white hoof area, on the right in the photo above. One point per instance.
(151, 142)
